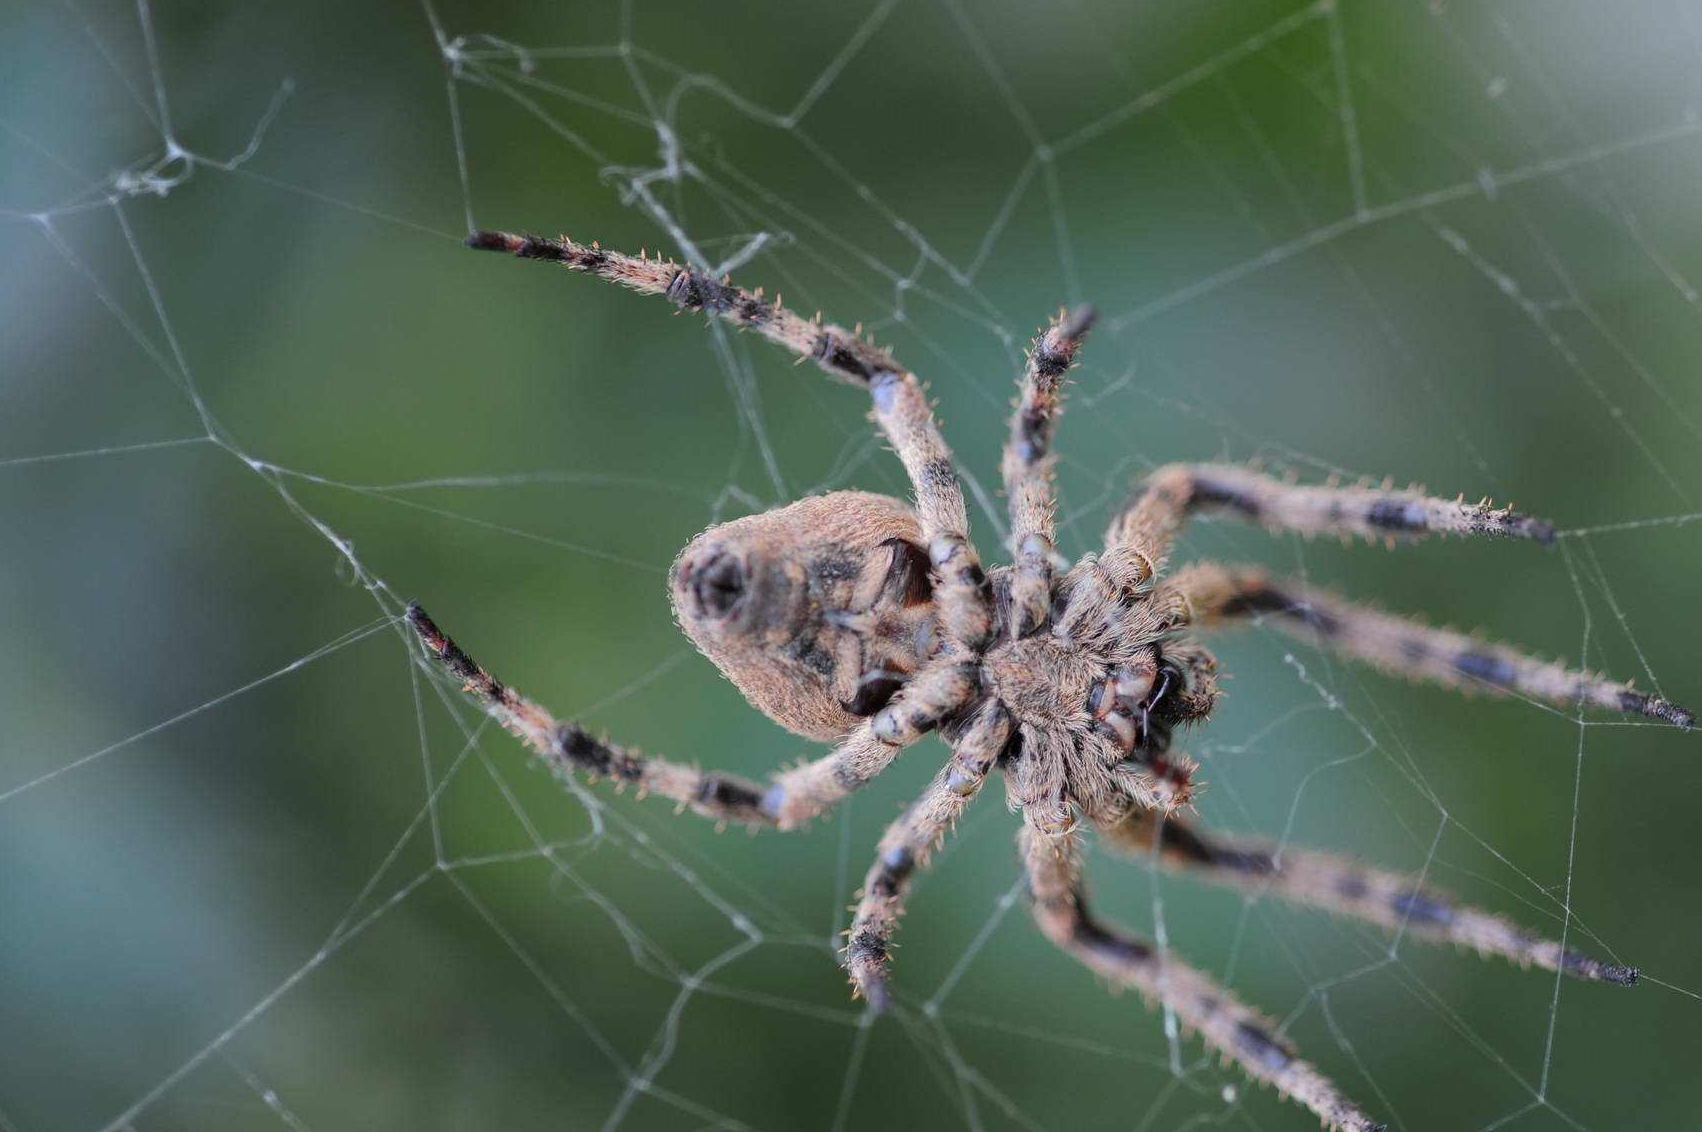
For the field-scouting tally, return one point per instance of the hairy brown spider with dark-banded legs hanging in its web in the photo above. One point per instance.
(865, 622)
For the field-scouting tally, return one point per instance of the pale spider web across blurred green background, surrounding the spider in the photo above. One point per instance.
(263, 869)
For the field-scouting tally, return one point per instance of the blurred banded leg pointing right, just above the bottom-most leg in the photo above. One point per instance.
(1340, 886)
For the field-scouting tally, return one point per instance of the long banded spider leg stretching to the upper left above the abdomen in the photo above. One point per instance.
(901, 408)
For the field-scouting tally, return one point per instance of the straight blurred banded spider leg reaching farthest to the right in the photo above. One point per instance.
(1219, 595)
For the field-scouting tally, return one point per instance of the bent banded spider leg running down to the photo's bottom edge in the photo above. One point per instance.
(1223, 1022)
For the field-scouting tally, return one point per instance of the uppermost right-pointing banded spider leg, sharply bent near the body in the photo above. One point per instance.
(1172, 495)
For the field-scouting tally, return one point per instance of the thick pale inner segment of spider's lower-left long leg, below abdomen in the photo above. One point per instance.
(804, 792)
